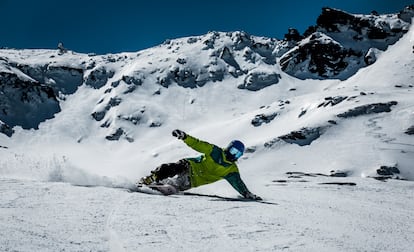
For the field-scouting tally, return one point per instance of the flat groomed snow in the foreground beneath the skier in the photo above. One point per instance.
(44, 216)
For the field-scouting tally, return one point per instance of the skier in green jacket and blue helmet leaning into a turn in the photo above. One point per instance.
(215, 164)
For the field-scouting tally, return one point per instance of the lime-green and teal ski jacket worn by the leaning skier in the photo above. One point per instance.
(212, 166)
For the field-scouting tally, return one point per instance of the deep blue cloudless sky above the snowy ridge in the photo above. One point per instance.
(132, 25)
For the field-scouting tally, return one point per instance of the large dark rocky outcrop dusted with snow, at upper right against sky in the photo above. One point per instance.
(339, 38)
